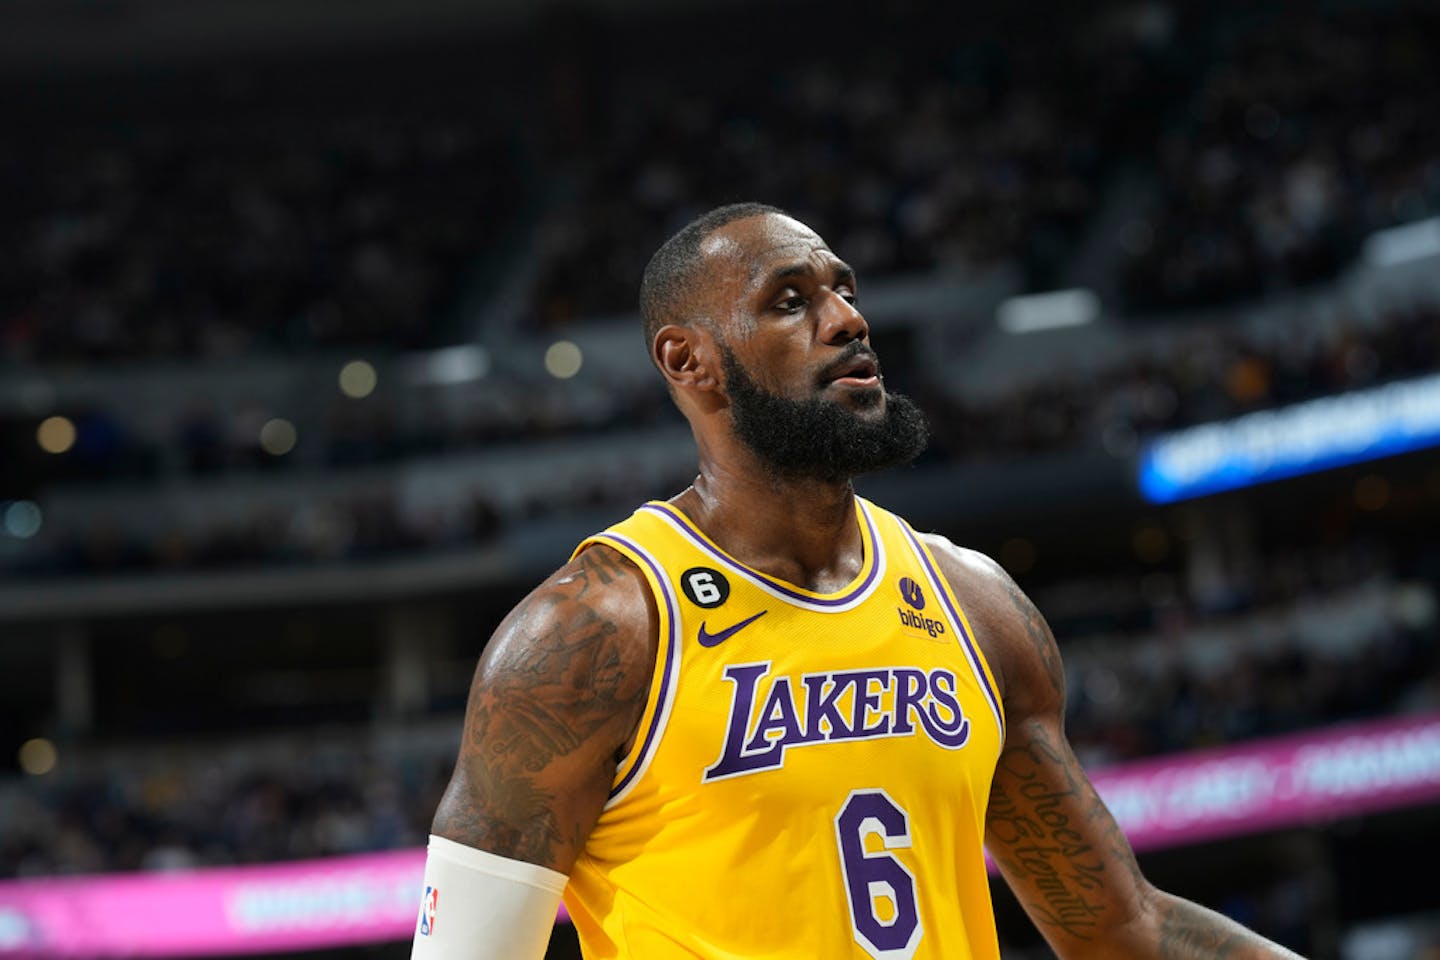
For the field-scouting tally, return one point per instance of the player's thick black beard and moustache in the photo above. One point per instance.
(823, 440)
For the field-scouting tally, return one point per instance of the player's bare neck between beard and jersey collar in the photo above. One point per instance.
(803, 532)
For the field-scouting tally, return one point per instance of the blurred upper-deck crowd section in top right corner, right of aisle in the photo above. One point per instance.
(1304, 135)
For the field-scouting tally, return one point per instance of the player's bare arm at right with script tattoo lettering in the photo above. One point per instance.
(1053, 838)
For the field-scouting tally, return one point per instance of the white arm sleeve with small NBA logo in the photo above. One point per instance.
(485, 907)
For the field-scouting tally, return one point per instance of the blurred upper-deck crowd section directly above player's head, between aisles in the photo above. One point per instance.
(915, 152)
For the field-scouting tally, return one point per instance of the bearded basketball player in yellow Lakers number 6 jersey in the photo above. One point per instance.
(768, 719)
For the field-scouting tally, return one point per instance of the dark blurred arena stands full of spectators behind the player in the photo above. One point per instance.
(197, 263)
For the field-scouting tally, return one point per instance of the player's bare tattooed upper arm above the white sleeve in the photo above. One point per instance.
(554, 707)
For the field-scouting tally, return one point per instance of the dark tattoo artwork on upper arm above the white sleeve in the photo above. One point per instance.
(542, 696)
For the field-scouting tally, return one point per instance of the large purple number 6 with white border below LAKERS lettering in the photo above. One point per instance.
(881, 889)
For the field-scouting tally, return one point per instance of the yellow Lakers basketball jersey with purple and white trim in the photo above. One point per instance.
(811, 772)
